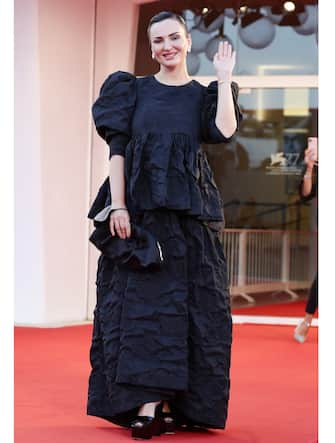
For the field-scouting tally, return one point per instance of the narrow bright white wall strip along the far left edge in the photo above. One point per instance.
(29, 266)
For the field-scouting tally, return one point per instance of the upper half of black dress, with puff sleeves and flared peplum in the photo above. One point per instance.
(159, 130)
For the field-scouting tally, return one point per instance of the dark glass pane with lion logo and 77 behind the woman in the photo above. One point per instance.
(259, 173)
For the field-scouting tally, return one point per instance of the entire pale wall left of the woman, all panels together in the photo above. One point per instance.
(62, 55)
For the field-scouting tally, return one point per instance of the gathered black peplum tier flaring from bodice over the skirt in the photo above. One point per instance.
(167, 171)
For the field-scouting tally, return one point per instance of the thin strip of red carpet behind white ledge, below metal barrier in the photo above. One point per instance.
(291, 309)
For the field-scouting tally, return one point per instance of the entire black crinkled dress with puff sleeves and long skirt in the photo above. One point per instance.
(164, 333)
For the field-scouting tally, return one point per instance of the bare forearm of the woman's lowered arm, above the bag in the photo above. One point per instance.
(117, 181)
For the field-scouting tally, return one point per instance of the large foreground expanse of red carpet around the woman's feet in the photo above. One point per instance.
(273, 395)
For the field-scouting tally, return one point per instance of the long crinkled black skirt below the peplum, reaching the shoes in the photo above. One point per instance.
(164, 334)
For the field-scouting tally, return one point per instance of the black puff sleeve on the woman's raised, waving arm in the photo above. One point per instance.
(210, 132)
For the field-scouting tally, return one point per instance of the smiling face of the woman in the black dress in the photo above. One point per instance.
(169, 42)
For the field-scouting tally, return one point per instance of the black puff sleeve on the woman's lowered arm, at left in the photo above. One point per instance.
(113, 110)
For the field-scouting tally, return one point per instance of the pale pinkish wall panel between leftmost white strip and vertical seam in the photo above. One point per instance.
(66, 66)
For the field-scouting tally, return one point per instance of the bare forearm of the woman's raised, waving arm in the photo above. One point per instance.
(225, 115)
